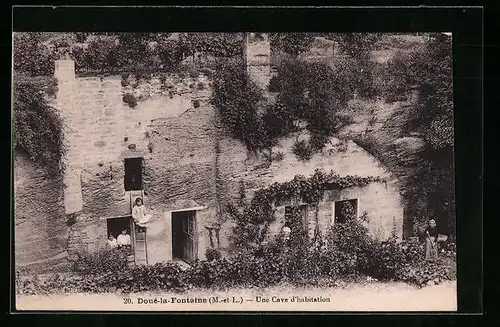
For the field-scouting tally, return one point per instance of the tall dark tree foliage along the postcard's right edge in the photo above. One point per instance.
(431, 68)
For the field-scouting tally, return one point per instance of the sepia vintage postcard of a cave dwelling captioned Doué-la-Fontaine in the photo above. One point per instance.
(234, 171)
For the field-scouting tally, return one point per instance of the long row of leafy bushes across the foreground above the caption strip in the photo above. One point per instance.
(298, 263)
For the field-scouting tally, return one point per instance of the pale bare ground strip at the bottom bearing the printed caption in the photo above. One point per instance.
(369, 297)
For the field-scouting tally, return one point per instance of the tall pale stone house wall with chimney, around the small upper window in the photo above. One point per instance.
(174, 138)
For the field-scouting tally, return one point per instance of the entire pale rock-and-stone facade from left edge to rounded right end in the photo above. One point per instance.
(188, 163)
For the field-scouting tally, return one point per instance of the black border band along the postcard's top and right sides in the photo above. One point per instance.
(466, 24)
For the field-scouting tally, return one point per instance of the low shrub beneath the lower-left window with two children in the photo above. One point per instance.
(102, 261)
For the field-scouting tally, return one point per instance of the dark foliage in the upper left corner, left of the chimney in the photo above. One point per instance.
(38, 127)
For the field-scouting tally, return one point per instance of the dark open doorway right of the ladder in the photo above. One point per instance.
(184, 240)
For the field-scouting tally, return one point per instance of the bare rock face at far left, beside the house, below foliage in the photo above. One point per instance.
(40, 224)
